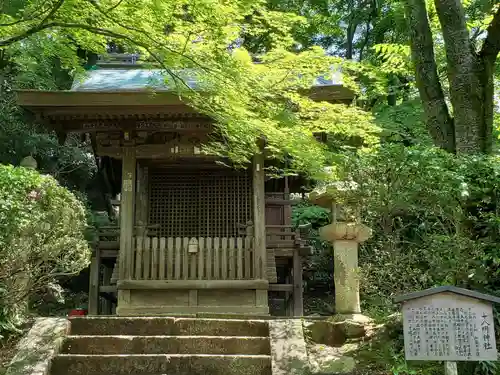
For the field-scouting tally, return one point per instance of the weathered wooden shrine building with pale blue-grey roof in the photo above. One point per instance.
(192, 236)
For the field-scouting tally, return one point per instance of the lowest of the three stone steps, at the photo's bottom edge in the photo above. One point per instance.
(149, 364)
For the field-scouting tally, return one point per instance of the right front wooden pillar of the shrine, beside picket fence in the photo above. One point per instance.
(259, 218)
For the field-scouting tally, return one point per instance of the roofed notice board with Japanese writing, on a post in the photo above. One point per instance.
(448, 324)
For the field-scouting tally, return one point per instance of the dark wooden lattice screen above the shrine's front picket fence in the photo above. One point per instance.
(199, 202)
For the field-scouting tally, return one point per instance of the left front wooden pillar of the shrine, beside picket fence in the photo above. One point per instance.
(127, 207)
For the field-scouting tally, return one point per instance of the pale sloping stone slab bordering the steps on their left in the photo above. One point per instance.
(36, 349)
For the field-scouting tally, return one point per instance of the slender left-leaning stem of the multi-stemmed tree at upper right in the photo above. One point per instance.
(439, 122)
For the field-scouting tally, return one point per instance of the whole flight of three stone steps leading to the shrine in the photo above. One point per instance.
(161, 346)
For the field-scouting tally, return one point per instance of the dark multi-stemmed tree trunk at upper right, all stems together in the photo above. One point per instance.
(470, 76)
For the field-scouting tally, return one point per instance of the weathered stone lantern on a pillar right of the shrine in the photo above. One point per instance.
(345, 233)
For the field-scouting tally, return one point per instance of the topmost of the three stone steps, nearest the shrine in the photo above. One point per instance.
(160, 326)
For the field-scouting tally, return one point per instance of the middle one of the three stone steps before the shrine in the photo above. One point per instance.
(166, 345)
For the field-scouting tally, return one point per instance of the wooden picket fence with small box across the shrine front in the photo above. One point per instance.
(169, 258)
